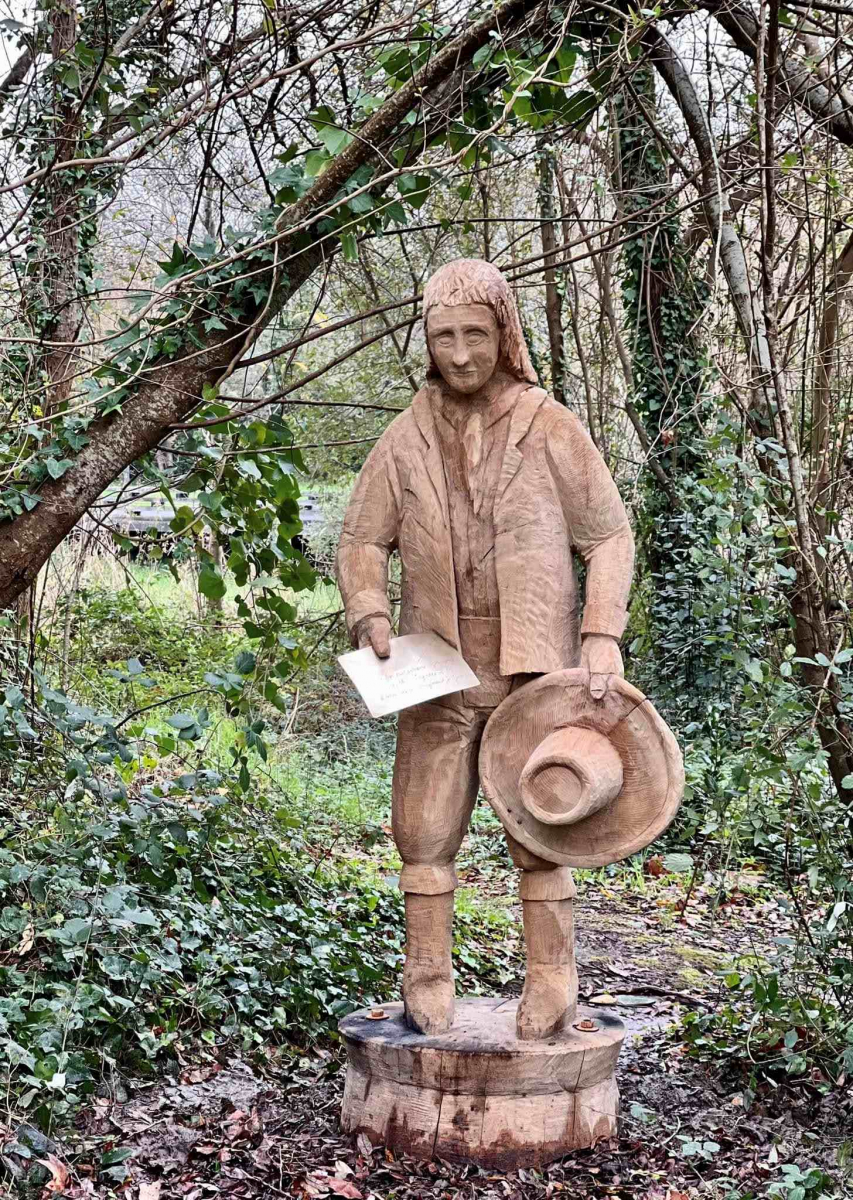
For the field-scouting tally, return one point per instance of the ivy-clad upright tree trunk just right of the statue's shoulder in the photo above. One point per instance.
(689, 601)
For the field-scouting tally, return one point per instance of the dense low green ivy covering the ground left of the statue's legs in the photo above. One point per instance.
(131, 926)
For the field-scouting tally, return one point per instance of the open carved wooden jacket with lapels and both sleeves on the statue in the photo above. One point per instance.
(556, 496)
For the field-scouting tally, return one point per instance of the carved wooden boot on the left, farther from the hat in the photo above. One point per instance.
(429, 974)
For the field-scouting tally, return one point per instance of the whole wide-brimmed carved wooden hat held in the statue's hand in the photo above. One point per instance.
(581, 782)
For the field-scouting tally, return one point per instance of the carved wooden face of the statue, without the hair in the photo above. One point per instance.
(465, 343)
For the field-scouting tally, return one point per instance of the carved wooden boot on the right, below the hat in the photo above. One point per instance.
(550, 999)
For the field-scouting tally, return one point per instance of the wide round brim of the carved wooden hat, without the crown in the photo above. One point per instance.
(653, 770)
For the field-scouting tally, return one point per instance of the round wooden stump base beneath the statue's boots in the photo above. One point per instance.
(477, 1094)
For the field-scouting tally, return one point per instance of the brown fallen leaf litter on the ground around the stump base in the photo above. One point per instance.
(267, 1126)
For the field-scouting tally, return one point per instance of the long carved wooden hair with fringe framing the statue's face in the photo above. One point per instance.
(474, 281)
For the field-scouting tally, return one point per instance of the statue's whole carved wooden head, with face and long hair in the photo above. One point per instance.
(472, 327)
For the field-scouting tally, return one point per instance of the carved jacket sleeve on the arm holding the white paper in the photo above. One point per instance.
(370, 536)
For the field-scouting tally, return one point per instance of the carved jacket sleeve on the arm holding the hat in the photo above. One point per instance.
(597, 521)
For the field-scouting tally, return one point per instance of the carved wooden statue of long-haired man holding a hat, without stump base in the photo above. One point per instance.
(488, 489)
